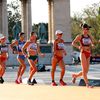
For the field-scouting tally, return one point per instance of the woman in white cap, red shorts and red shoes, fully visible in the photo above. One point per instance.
(59, 52)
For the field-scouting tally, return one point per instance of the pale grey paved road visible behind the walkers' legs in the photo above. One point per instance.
(45, 77)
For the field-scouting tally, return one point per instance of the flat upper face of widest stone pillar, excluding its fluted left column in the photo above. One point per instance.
(61, 18)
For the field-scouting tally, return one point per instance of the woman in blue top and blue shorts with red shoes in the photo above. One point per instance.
(20, 57)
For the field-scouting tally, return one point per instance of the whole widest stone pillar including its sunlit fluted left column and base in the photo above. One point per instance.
(59, 18)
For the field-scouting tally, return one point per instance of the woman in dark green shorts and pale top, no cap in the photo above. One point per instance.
(32, 48)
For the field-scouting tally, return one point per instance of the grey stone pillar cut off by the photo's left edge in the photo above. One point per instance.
(3, 18)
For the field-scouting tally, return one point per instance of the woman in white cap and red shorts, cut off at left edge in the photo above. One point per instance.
(3, 56)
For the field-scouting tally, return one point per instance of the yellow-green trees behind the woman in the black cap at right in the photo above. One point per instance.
(90, 15)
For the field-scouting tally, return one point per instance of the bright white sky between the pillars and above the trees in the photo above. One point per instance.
(40, 8)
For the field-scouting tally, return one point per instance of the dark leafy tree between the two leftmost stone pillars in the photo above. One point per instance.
(14, 17)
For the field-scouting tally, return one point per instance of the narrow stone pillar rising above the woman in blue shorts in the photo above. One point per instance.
(26, 17)
